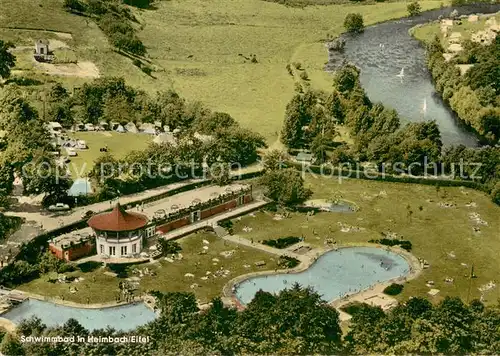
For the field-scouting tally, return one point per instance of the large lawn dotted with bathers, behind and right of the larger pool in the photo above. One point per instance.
(434, 231)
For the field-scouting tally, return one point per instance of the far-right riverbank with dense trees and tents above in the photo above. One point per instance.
(455, 62)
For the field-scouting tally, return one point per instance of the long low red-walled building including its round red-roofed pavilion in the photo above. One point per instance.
(124, 233)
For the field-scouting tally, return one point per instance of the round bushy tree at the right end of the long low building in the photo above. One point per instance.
(285, 186)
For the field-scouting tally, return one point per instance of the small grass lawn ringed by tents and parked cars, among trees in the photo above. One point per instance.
(119, 145)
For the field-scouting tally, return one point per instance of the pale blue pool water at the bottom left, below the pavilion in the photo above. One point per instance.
(125, 317)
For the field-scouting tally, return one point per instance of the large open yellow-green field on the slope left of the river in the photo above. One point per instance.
(214, 33)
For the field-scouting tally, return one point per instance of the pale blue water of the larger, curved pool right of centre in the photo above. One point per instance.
(334, 274)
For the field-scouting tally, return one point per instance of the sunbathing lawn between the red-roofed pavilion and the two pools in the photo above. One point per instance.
(169, 276)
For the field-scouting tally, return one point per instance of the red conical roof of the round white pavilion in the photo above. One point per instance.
(118, 220)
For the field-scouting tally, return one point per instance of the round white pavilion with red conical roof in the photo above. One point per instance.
(119, 233)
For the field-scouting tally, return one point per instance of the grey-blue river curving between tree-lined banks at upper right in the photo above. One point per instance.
(381, 52)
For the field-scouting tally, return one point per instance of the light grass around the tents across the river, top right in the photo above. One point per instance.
(427, 32)
